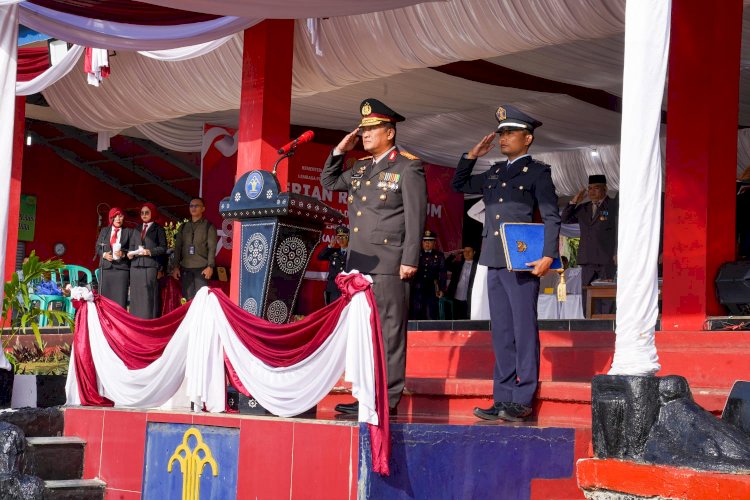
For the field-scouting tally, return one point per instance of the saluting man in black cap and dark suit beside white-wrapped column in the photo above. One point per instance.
(597, 218)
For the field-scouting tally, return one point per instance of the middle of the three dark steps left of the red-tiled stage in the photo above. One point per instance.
(54, 458)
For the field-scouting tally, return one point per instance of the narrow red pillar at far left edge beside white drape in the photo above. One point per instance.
(14, 201)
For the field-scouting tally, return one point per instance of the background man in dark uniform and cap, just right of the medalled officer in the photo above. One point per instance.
(429, 284)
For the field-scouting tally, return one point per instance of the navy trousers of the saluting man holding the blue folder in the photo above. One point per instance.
(515, 334)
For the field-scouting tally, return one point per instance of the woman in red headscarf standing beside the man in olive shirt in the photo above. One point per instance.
(147, 244)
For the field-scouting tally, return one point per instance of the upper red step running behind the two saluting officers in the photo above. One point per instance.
(706, 359)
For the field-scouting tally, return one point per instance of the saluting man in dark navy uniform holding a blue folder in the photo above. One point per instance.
(511, 191)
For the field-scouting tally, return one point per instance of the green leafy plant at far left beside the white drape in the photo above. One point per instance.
(20, 313)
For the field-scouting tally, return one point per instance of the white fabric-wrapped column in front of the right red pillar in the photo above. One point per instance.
(646, 51)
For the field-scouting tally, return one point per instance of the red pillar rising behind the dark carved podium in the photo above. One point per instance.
(265, 105)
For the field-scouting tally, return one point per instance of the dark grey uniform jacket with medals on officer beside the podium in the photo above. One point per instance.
(387, 205)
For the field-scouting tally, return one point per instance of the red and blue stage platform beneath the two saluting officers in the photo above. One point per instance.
(440, 450)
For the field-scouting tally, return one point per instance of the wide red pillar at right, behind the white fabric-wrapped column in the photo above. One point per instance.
(699, 211)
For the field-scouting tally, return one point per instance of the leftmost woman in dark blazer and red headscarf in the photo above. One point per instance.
(112, 246)
